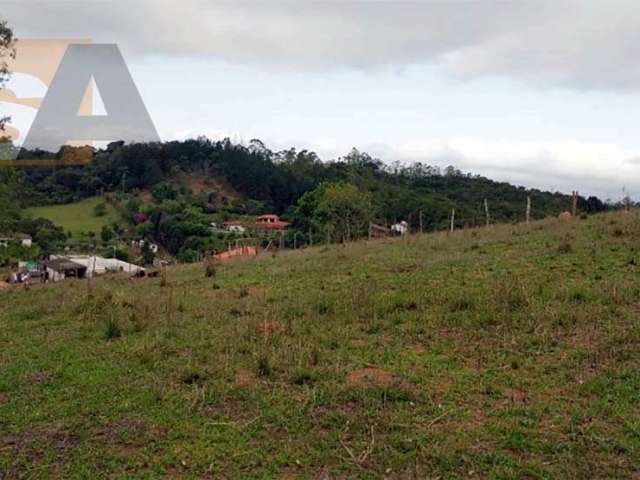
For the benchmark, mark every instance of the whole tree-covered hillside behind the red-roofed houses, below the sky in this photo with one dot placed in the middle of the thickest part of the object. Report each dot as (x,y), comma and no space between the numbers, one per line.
(174,194)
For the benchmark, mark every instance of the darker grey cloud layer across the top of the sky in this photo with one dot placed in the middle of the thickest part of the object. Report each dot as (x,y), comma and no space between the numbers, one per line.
(561,42)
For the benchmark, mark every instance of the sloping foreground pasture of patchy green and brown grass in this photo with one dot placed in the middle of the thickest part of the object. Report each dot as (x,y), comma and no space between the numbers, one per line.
(508,352)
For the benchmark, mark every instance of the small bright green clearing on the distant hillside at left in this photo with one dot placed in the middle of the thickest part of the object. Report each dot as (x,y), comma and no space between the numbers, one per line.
(77,218)
